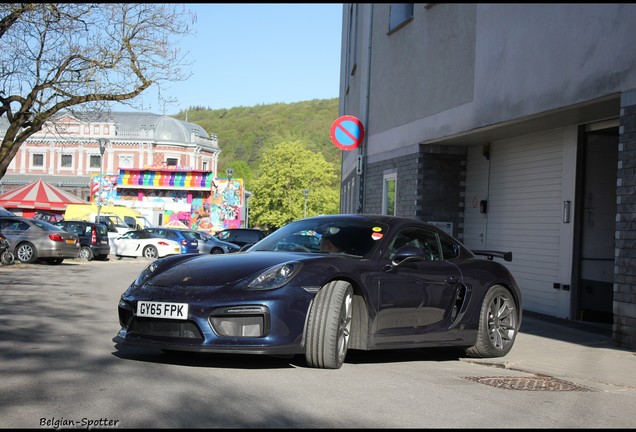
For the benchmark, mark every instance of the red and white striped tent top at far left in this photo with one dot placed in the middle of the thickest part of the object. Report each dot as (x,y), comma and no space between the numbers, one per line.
(38,196)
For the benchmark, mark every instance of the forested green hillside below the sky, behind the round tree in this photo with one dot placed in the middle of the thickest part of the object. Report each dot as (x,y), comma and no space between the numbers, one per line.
(242,132)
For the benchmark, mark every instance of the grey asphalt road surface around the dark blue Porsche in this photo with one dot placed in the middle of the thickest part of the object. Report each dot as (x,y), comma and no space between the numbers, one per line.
(60,368)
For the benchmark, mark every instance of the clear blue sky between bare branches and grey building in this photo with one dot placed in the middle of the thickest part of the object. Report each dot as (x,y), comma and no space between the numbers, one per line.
(253,54)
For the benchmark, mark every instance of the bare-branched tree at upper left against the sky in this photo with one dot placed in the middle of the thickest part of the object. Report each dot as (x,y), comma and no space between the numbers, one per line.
(60,57)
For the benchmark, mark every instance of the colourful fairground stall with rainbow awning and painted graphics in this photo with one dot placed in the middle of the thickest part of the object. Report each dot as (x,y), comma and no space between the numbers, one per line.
(175,196)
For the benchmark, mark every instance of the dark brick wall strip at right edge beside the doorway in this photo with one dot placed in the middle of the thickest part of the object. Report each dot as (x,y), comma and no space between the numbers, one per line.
(624,328)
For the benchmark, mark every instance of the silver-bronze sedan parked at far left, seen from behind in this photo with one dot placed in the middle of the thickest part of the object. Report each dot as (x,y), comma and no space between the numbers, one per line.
(32,239)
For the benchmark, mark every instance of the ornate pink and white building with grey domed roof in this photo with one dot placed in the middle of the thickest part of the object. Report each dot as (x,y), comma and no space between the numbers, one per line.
(66,153)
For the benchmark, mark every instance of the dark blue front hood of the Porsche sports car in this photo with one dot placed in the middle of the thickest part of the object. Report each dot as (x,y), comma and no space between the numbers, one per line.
(222,270)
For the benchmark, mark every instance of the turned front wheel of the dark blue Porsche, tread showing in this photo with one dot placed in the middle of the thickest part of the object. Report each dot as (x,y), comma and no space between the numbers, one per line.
(329,326)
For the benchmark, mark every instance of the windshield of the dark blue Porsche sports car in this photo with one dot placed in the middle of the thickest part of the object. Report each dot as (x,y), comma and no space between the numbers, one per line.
(338,235)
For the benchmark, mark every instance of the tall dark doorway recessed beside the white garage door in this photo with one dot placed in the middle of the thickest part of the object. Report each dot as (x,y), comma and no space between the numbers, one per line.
(596,216)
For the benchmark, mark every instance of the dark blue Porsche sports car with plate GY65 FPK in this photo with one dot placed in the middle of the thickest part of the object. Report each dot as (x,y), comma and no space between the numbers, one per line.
(395,283)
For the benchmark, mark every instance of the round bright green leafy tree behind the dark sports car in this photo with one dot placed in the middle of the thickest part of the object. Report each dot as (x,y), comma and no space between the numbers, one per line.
(286,170)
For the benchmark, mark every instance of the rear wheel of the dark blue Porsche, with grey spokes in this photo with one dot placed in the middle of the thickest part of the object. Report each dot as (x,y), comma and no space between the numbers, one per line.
(498,324)
